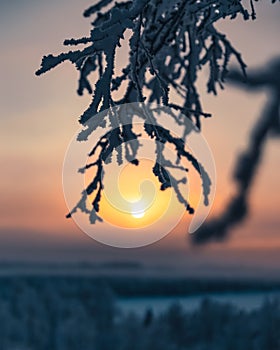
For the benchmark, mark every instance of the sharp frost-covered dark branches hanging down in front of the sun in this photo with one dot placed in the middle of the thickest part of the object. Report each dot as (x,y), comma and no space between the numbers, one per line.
(169,42)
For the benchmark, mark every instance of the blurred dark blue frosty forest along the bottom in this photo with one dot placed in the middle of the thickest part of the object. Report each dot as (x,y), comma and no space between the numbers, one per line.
(47,314)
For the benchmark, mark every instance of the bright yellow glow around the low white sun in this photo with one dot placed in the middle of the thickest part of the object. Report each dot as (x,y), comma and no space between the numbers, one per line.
(138,200)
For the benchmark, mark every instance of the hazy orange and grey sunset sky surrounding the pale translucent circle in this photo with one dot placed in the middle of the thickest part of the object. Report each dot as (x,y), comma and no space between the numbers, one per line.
(39,117)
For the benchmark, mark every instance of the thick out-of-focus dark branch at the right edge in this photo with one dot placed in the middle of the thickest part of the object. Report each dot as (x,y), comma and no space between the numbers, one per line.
(248,161)
